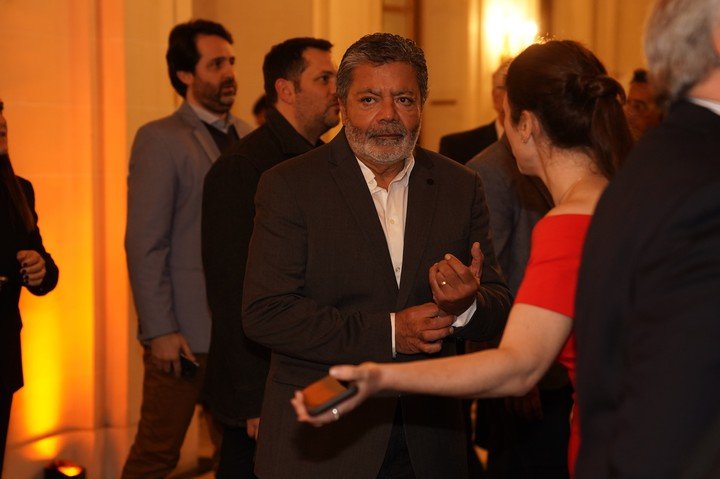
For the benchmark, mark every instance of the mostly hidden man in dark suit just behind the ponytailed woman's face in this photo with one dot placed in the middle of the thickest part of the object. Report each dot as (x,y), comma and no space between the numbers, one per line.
(462,146)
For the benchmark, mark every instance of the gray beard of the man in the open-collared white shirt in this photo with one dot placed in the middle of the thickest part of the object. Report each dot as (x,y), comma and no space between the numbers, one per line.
(367,146)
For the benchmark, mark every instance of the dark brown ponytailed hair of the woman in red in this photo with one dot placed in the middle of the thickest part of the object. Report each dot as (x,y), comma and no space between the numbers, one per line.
(577,103)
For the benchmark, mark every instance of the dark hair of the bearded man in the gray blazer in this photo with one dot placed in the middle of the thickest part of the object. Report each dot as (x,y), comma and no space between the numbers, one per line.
(182,54)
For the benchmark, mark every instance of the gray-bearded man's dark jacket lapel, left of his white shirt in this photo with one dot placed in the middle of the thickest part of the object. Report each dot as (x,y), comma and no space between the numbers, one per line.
(354,190)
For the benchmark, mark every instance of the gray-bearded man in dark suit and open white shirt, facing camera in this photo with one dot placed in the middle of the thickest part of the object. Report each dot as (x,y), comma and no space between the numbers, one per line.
(351,243)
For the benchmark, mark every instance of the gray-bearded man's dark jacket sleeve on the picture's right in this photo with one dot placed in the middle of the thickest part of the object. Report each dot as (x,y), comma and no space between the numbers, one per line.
(494,298)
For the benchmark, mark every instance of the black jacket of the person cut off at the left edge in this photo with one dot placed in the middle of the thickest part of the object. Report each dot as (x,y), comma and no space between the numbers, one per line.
(15,239)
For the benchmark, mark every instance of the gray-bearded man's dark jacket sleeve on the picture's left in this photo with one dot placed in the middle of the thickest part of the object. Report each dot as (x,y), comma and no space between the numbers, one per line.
(276,310)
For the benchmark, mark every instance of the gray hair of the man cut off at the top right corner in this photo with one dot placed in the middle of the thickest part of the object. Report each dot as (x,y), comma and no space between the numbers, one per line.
(679,44)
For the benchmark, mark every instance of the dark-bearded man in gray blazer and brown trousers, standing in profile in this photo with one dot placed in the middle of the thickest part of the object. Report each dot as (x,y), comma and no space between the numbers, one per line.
(168,163)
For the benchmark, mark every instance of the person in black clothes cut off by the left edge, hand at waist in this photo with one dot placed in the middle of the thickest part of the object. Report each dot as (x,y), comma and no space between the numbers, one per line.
(23,262)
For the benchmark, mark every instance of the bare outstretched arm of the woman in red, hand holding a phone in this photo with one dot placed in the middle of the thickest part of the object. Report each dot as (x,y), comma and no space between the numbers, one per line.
(532,340)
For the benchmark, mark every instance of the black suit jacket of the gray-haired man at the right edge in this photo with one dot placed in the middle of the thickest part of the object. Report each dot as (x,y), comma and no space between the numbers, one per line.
(648,305)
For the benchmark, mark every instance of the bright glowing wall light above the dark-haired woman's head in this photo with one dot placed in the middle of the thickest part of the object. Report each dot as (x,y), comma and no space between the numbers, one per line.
(509,27)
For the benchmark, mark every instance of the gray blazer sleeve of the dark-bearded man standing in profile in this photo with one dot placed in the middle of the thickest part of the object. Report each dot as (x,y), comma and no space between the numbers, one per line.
(151,194)
